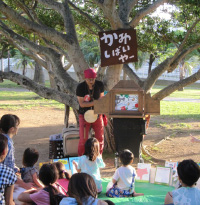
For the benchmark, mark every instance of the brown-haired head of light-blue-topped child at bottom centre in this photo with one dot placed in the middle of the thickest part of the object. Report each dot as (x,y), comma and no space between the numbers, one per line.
(82,185)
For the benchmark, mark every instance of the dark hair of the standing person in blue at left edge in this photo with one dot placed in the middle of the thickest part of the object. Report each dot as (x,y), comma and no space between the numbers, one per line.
(7,121)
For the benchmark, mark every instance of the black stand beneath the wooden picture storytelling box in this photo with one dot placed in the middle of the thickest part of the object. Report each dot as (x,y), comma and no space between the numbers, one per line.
(128,134)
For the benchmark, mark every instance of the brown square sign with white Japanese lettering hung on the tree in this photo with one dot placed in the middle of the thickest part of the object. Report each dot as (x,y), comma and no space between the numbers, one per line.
(118,47)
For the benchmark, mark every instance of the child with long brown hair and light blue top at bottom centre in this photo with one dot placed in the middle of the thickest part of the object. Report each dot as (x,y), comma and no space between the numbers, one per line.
(82,190)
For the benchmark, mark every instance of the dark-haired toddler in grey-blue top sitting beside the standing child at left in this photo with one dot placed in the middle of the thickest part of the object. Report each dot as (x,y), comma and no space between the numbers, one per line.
(29,173)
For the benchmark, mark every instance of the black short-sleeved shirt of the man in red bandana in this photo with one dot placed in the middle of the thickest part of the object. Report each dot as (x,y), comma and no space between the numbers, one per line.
(82,90)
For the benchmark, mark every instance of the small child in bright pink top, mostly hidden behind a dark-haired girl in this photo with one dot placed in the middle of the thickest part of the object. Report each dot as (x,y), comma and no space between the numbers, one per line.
(63,179)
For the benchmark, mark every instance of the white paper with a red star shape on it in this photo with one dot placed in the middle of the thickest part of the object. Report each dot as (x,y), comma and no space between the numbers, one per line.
(143,172)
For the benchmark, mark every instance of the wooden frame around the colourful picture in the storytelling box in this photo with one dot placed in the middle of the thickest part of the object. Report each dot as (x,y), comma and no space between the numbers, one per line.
(126,111)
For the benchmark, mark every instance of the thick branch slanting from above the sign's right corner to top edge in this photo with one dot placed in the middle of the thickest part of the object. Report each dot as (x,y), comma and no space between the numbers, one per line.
(143,12)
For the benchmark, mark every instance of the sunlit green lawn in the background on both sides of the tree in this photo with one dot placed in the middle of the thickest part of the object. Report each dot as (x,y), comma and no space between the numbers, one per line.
(178,110)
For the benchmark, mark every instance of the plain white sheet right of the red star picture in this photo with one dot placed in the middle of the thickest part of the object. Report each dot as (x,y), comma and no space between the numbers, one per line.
(163,175)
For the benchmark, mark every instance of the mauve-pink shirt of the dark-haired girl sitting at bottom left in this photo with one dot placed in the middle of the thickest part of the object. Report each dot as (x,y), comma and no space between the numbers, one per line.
(41,197)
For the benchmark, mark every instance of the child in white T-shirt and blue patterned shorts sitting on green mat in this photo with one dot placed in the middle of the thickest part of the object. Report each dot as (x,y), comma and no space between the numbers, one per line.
(124,178)
